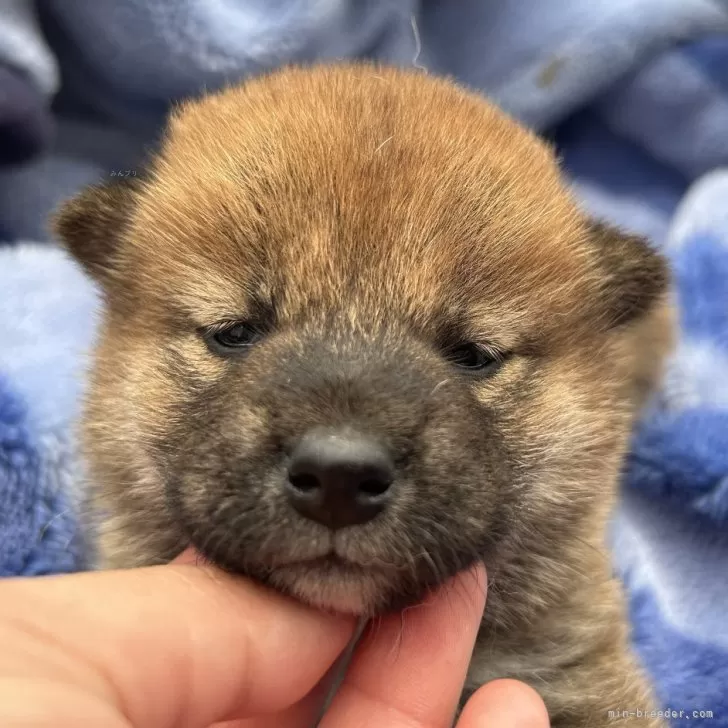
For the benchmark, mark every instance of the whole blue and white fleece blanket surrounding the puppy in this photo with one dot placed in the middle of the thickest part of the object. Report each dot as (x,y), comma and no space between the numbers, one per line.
(634,93)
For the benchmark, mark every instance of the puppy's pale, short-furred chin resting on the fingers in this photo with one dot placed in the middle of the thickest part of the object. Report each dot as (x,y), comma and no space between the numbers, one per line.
(338,590)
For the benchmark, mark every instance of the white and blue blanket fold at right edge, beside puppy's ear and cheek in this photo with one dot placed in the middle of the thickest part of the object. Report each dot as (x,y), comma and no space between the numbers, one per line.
(681,451)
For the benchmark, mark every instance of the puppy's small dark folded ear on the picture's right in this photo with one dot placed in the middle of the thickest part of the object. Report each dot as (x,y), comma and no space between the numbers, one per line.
(634,276)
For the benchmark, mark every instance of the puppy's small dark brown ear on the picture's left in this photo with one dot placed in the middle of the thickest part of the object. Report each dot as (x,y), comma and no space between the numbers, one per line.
(91,225)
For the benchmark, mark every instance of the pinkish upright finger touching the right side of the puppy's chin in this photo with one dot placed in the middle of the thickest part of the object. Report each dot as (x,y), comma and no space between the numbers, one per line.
(410,668)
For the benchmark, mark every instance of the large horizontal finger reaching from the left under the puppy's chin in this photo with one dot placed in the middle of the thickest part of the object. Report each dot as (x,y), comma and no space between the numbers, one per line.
(159,647)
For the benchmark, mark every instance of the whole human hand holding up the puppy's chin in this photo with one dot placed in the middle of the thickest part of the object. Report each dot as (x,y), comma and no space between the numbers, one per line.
(180,645)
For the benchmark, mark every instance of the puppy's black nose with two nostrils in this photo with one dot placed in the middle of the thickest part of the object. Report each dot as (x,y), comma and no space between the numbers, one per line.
(339,478)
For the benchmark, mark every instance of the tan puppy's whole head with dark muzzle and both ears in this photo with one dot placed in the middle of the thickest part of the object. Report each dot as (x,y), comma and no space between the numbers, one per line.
(357,336)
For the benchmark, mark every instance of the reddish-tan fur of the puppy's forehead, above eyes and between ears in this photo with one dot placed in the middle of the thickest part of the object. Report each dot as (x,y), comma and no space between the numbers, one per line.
(361,184)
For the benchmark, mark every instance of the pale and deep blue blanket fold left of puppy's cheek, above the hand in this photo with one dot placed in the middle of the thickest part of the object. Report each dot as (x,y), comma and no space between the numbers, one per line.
(46,325)
